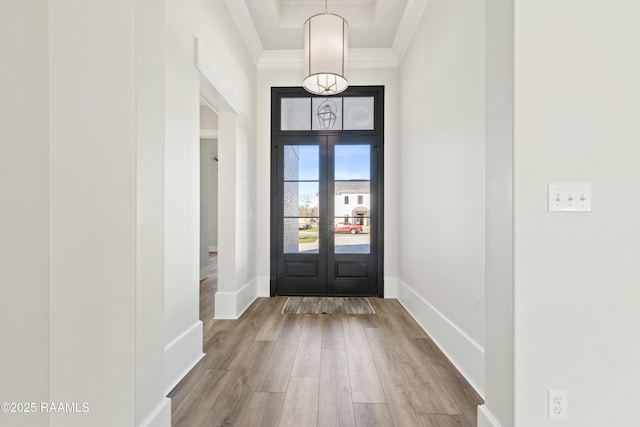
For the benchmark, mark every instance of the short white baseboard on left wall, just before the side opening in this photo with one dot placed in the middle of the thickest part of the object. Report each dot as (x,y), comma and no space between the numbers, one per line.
(181,355)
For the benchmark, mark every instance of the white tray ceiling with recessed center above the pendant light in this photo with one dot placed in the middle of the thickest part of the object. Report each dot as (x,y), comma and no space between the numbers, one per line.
(377,28)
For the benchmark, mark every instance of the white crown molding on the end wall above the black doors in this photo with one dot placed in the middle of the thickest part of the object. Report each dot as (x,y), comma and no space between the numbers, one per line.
(358,58)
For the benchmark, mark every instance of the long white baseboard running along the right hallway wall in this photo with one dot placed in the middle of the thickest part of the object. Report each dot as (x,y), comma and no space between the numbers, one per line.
(464,352)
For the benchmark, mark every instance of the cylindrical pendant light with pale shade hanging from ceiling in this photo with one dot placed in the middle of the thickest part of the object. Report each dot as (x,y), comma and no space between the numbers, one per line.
(325,53)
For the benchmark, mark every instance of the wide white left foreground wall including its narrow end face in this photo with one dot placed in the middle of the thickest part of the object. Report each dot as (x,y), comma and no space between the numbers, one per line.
(106,127)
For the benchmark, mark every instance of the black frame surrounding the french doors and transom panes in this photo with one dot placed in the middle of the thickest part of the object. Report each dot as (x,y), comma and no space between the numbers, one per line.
(377,92)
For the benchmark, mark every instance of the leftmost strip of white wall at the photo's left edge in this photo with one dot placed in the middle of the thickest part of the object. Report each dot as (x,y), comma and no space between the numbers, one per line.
(24,216)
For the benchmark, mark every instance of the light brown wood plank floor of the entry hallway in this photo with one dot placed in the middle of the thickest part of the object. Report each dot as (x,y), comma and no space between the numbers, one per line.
(274,369)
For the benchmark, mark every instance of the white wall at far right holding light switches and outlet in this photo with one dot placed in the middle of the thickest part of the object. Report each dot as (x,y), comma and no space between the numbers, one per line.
(577,275)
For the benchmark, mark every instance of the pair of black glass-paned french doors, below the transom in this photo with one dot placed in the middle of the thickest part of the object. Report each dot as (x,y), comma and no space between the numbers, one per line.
(326,214)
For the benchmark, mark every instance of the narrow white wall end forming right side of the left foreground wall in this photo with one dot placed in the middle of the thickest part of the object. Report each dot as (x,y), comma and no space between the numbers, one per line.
(152,408)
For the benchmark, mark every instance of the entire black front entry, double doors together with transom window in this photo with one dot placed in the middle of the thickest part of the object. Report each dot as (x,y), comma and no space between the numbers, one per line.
(327,192)
